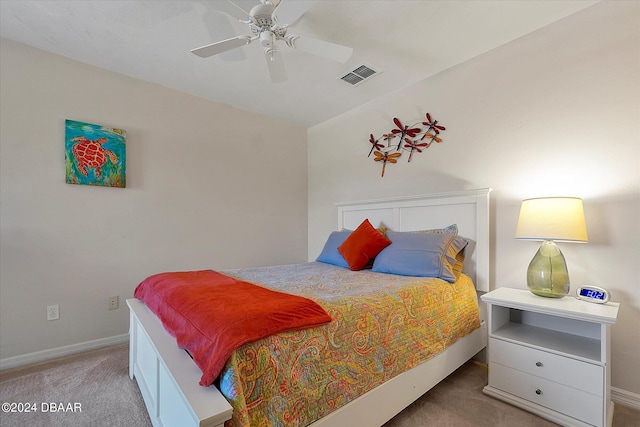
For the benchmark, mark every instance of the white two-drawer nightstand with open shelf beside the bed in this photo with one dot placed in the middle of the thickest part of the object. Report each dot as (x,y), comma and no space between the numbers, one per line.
(551,356)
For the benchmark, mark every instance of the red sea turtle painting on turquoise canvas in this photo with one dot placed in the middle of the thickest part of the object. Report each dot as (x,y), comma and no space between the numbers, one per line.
(95,154)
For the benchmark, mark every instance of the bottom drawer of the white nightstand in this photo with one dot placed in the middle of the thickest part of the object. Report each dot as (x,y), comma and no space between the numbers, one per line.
(574,403)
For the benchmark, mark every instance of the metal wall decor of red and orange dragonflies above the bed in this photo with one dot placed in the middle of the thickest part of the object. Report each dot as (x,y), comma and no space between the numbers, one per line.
(413,138)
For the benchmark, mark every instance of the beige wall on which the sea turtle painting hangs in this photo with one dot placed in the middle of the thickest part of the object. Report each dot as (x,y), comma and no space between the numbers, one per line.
(207,187)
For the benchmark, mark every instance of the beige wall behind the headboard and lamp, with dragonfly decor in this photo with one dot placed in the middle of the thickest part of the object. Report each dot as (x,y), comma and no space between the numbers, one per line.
(556,112)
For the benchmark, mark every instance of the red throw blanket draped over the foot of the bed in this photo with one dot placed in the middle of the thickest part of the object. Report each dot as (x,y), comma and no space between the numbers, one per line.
(211,314)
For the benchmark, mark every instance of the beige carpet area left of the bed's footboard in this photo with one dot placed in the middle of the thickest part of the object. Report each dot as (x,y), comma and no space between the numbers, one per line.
(97,380)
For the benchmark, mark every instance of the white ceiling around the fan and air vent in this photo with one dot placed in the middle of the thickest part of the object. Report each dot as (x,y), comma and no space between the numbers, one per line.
(151,40)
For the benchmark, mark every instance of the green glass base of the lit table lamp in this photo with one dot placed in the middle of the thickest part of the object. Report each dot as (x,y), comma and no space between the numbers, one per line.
(547,275)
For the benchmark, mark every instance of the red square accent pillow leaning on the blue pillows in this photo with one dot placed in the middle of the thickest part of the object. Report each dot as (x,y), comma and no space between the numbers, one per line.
(362,245)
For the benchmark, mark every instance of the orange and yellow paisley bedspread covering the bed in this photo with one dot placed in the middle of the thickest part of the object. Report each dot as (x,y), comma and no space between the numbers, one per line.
(382,325)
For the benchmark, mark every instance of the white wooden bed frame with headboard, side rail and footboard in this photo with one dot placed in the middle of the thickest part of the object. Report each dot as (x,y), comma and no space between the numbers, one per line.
(168,378)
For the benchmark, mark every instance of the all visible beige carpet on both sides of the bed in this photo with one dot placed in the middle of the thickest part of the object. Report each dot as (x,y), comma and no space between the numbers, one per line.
(98,384)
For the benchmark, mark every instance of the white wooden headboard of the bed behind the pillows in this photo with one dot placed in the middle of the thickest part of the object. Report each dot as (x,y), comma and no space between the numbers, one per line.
(468,209)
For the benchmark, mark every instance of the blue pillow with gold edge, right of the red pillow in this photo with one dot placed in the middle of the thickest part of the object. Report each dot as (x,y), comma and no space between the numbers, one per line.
(421,254)
